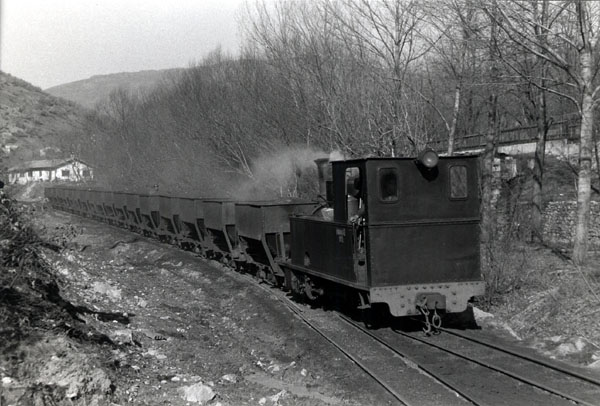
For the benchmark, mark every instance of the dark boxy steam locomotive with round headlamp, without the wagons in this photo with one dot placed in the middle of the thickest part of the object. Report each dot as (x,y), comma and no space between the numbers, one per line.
(399,232)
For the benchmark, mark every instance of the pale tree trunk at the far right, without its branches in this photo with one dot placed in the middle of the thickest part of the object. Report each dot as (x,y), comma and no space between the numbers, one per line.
(584,190)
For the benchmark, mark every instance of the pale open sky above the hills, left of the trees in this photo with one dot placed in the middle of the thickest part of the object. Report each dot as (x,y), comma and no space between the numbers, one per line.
(51,42)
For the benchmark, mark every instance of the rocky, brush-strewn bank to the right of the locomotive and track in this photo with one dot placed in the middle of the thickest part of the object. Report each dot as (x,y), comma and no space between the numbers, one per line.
(554,307)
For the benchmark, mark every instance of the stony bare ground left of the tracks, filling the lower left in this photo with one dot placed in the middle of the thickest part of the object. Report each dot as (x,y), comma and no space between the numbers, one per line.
(161,326)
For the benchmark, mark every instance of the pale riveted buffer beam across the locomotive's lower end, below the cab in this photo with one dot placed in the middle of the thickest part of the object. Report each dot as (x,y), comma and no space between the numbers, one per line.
(403,300)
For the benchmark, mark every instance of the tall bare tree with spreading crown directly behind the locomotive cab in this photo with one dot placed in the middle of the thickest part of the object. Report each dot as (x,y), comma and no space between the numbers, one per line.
(389,37)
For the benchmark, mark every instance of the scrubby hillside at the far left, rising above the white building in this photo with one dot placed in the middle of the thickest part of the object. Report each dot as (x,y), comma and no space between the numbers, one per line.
(34,124)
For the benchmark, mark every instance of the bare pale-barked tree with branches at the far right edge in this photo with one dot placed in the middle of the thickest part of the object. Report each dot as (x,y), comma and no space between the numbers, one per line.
(575,39)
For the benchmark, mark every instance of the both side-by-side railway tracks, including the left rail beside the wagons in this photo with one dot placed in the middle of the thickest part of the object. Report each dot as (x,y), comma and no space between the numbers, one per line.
(462,368)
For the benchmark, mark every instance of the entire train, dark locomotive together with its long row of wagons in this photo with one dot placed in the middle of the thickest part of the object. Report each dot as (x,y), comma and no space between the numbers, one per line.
(400,235)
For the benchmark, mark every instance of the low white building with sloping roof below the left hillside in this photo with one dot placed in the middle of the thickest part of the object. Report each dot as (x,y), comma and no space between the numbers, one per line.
(72,170)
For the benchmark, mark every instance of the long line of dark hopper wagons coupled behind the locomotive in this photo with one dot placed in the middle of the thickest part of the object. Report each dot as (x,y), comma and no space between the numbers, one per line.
(255,235)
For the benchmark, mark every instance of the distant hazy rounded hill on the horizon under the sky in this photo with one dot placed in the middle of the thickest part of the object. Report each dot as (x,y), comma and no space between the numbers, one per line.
(90,91)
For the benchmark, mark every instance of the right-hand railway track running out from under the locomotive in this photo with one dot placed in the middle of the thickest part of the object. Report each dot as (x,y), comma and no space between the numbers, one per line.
(488,373)
